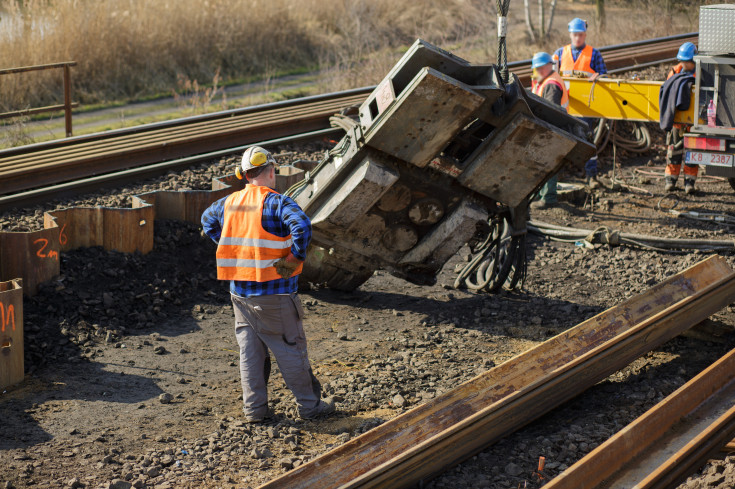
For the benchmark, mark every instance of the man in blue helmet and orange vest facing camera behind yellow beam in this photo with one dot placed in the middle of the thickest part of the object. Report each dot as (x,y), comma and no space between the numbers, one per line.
(581,60)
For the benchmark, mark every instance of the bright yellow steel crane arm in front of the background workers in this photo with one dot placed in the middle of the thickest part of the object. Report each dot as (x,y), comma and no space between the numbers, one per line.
(630,100)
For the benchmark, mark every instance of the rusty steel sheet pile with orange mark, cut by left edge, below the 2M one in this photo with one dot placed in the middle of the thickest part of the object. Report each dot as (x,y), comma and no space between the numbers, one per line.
(11,333)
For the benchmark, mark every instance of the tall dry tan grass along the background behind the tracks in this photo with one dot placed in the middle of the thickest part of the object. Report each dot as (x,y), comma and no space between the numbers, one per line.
(130,49)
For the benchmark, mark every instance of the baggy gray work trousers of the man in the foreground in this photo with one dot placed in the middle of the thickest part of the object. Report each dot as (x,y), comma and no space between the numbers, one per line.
(273,322)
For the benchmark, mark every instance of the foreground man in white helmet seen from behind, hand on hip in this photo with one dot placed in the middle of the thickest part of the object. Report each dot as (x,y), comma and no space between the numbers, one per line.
(261,239)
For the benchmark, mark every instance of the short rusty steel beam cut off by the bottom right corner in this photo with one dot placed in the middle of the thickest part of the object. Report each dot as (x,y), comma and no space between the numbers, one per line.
(667,443)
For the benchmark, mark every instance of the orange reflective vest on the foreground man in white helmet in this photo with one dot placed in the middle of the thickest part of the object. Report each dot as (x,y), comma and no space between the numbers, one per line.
(246,251)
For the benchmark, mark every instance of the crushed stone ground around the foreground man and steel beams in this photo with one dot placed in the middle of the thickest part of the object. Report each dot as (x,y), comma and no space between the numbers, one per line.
(132,359)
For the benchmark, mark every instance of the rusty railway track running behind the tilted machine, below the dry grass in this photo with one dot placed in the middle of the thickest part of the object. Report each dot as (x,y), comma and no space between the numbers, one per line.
(42,167)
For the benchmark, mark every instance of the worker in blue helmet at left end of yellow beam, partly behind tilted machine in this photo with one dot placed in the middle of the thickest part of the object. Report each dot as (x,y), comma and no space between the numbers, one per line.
(548,84)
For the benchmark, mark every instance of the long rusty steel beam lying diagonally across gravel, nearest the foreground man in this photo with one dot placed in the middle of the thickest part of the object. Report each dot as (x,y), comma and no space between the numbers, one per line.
(430,438)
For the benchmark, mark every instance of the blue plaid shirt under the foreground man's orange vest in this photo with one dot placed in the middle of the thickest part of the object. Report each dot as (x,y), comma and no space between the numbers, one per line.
(281,216)
